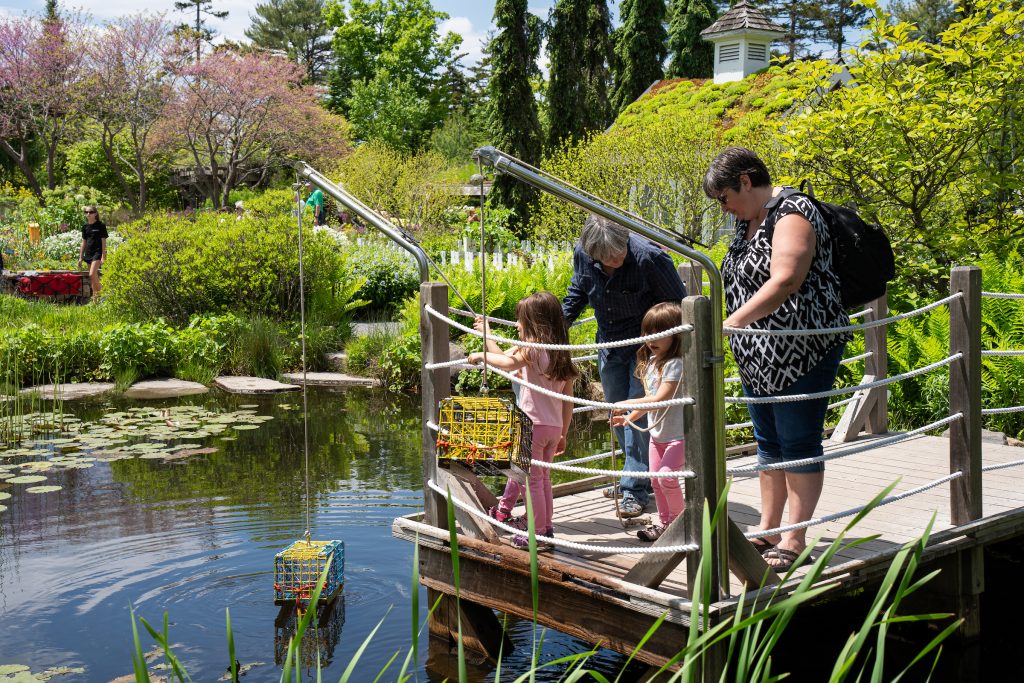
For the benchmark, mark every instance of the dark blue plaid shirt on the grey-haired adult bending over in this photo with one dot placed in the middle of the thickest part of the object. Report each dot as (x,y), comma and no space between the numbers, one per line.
(648,277)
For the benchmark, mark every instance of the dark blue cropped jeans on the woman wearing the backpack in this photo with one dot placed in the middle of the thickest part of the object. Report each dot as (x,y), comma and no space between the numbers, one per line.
(793,431)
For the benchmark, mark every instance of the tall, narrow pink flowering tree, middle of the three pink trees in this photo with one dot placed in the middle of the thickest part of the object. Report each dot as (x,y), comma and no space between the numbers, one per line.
(132,71)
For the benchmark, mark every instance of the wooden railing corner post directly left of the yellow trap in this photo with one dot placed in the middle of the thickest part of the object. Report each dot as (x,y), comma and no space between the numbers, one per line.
(437,386)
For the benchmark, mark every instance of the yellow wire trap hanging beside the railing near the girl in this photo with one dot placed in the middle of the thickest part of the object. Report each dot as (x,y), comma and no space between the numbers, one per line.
(485,434)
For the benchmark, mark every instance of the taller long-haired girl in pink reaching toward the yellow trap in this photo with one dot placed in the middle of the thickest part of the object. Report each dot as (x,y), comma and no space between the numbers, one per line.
(539,319)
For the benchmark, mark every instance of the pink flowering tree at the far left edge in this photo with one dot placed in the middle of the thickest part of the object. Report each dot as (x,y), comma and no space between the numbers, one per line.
(41,90)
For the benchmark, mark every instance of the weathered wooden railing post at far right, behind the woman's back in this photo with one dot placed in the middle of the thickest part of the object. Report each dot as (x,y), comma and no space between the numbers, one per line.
(965,395)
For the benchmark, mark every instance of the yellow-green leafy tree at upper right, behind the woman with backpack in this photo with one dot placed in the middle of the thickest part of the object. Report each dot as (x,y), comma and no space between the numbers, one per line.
(928,142)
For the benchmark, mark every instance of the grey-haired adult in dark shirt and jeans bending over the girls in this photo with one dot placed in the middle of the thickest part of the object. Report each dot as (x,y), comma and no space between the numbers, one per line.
(622,276)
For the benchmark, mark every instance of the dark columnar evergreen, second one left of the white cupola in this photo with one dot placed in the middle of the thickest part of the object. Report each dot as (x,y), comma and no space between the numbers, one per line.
(641,50)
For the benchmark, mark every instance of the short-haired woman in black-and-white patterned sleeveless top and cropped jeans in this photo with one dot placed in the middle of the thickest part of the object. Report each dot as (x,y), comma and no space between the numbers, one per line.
(779,276)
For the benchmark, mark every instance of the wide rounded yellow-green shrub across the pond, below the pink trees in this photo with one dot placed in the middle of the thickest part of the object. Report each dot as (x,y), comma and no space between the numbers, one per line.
(176,269)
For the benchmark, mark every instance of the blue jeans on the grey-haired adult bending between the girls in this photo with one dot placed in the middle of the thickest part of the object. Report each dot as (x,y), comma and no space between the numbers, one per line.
(618,370)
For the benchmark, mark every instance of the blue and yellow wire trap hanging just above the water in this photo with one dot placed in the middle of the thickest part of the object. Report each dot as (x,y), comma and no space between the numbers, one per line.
(298,568)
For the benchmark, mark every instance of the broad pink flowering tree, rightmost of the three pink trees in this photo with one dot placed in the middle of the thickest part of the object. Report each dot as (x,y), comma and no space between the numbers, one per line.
(239,117)
